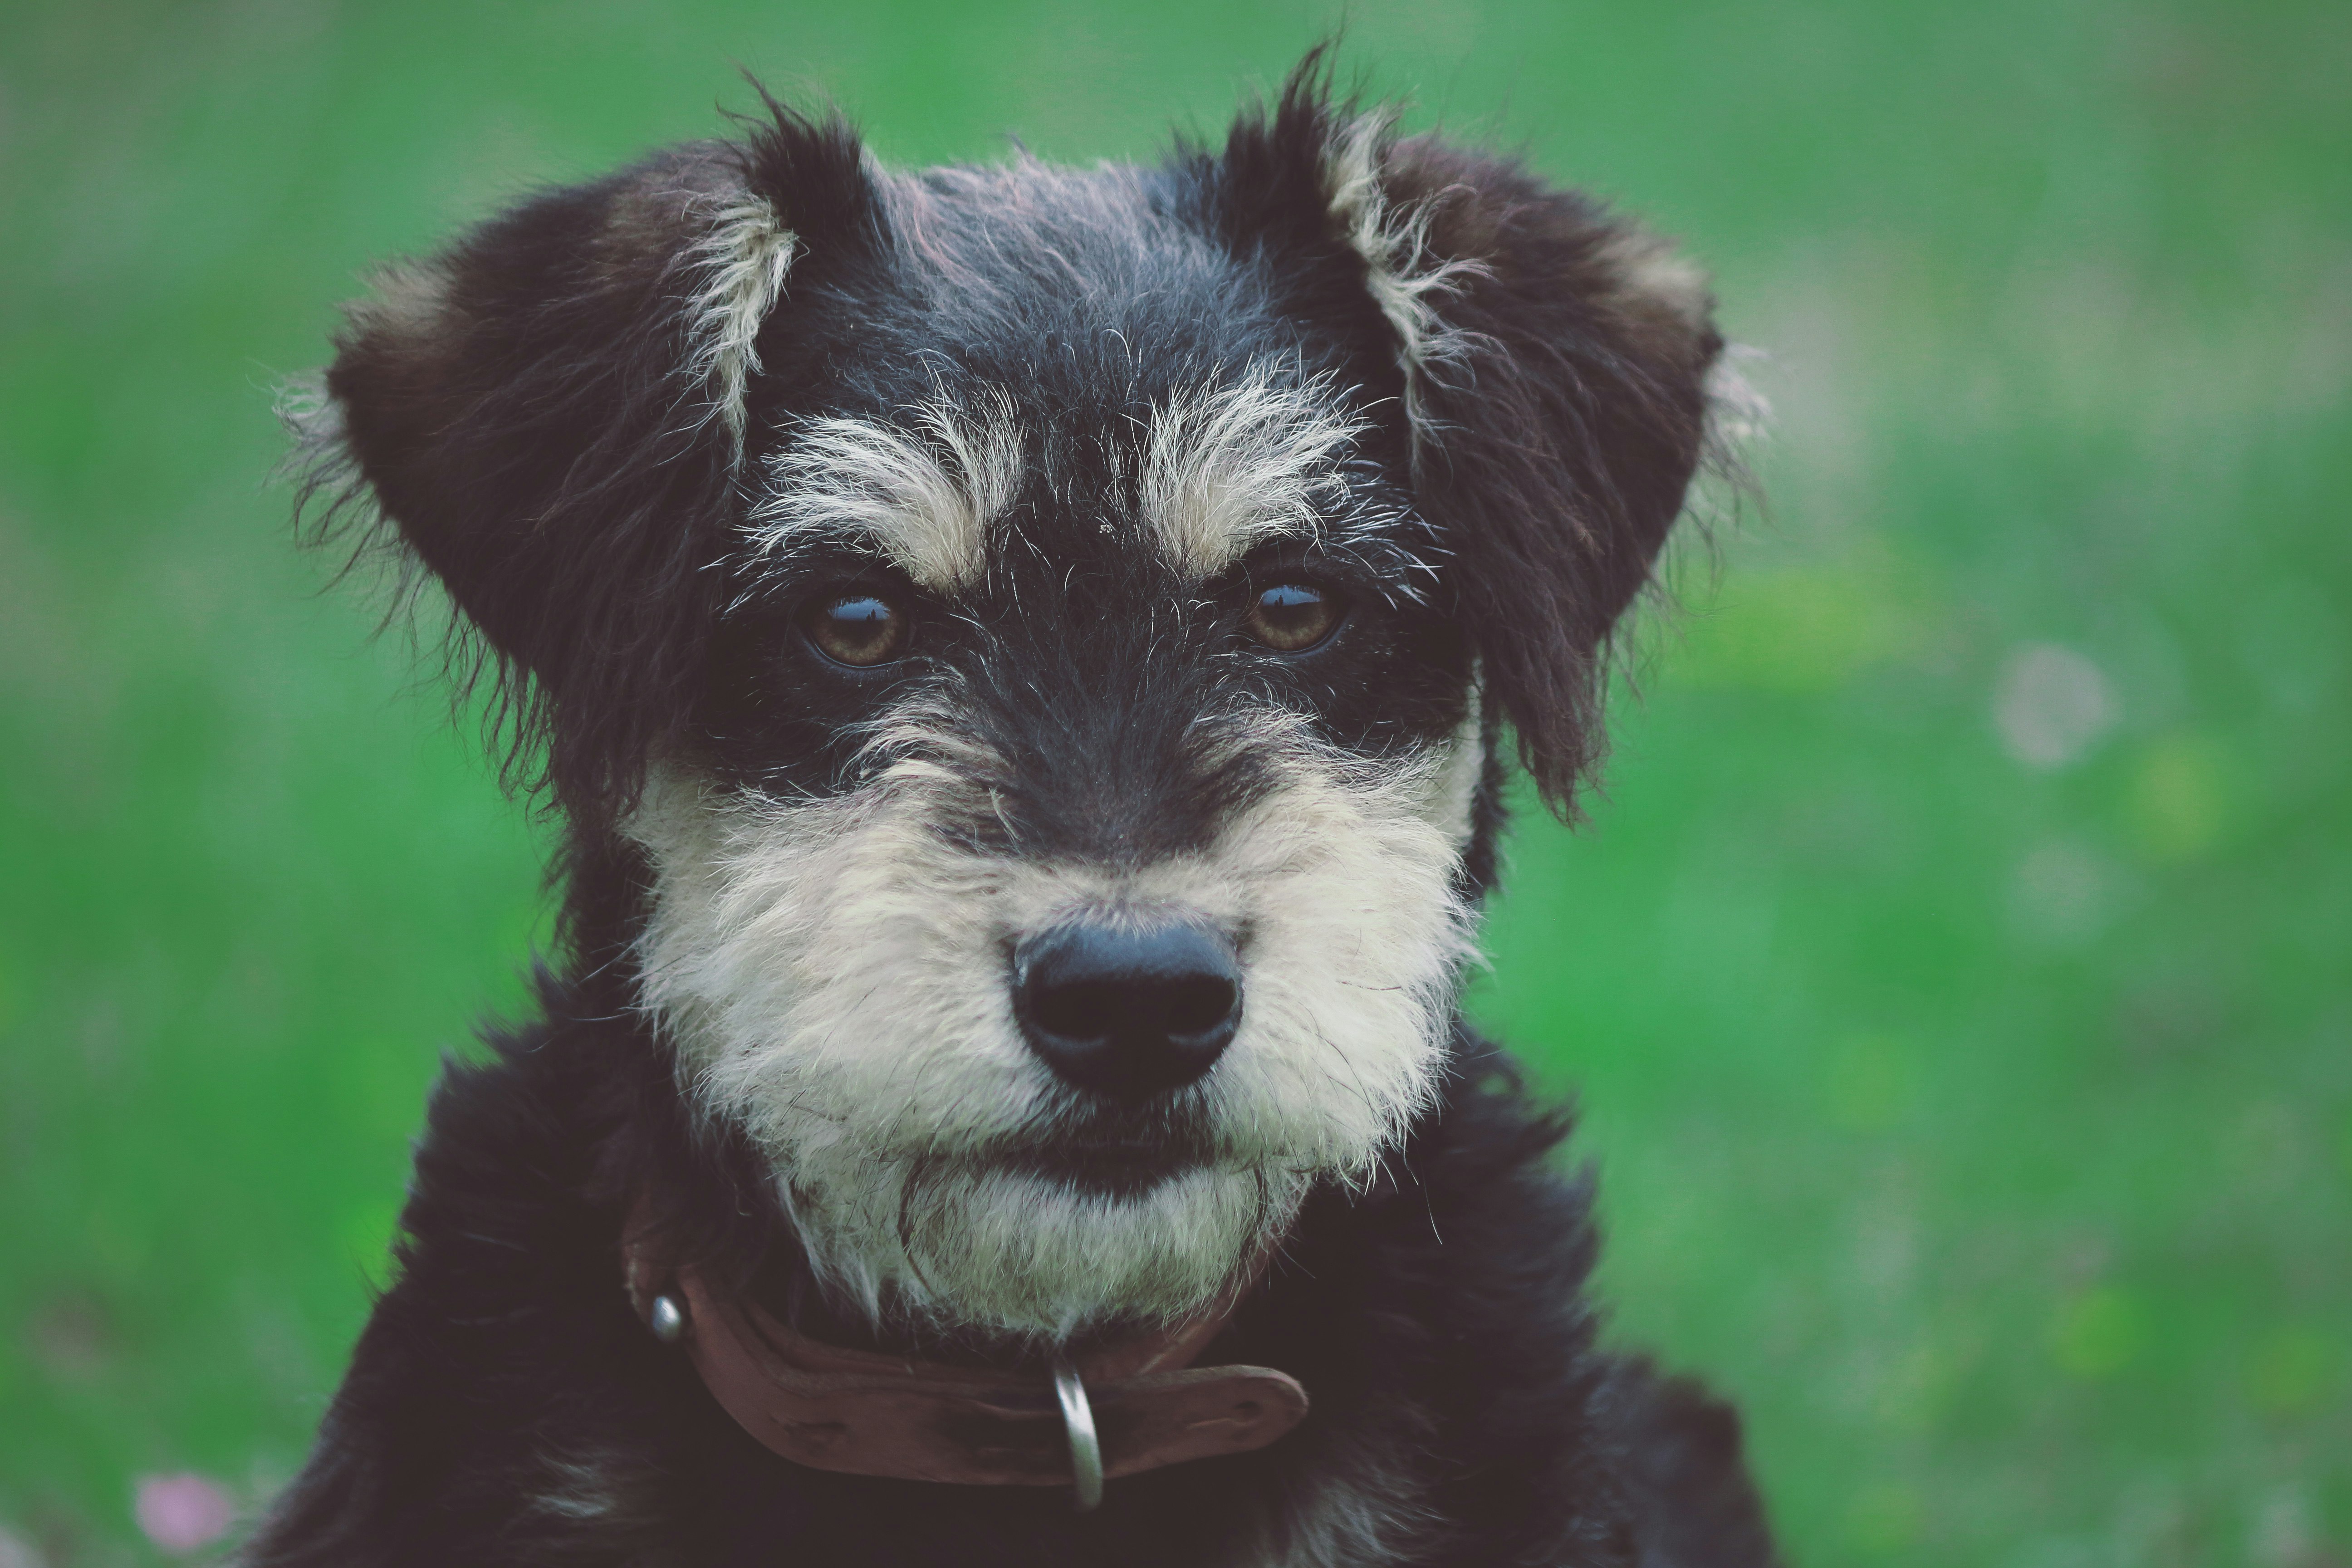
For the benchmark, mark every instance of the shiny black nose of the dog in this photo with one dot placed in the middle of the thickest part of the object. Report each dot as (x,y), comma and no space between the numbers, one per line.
(1128,1012)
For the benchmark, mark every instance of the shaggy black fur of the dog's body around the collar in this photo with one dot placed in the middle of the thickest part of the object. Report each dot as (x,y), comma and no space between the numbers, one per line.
(1438,1320)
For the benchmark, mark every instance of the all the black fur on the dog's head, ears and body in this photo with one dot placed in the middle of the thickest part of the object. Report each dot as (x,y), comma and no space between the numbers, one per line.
(516,410)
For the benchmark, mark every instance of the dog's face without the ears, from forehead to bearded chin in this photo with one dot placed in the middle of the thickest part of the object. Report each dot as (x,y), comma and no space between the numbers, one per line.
(1067,869)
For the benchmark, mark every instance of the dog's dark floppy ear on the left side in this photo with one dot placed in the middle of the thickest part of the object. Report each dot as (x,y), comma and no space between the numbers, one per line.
(552,415)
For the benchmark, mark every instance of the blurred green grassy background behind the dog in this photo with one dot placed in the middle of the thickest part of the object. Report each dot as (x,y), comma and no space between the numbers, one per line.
(1956,974)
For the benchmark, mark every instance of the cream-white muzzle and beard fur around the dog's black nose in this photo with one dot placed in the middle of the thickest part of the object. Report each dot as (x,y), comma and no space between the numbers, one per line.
(834,977)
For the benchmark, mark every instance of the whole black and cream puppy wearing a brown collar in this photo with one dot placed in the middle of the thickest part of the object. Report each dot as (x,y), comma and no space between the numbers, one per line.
(1024,659)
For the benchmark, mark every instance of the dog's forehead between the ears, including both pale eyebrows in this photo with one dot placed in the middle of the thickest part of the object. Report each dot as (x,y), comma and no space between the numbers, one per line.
(1060,368)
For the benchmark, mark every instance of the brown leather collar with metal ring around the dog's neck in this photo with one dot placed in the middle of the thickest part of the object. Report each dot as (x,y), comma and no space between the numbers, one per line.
(871,1414)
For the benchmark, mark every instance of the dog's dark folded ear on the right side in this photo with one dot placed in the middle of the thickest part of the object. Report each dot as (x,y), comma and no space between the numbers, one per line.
(1553,373)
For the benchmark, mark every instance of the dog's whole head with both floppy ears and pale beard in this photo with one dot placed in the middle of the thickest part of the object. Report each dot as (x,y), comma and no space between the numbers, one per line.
(1048,636)
